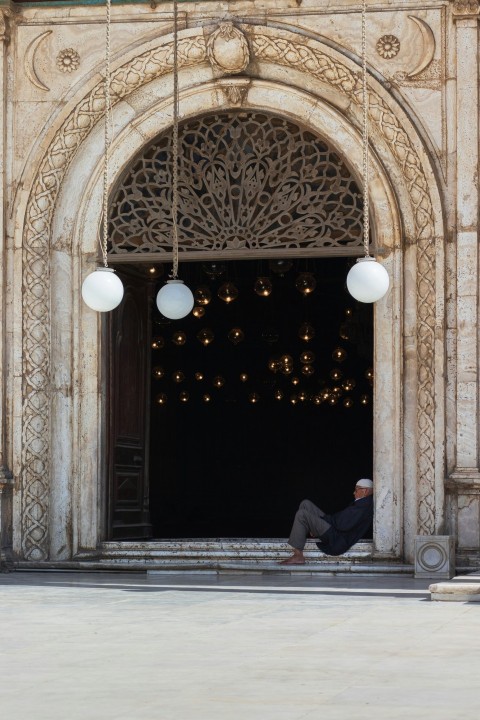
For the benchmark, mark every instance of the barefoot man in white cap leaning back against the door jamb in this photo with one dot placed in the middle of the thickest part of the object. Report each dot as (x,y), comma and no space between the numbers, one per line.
(337,532)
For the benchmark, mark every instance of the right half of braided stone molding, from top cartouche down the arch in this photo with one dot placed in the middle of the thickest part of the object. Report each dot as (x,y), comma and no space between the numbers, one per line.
(324,68)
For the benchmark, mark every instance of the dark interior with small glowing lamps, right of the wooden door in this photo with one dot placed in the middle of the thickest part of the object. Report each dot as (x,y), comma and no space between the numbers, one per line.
(231,467)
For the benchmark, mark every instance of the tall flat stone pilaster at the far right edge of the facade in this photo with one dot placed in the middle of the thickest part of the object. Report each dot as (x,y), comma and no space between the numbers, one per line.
(464,483)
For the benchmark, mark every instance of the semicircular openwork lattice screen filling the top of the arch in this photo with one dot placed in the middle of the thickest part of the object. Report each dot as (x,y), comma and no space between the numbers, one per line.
(247,180)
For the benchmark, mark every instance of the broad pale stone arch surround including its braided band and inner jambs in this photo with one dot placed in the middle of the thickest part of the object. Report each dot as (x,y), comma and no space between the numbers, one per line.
(64,460)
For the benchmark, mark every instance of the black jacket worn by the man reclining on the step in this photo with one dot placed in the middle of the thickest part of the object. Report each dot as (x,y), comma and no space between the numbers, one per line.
(348,526)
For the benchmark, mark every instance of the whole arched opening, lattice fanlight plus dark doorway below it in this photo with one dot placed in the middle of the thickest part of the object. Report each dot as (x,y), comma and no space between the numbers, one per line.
(232,447)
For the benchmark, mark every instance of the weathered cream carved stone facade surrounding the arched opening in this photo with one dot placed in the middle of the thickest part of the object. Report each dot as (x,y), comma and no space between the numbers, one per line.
(424,140)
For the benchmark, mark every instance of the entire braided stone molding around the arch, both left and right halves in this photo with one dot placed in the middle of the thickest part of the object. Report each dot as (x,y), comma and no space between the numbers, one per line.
(36,274)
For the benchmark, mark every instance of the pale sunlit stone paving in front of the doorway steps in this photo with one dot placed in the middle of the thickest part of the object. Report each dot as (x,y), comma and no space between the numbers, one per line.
(88,646)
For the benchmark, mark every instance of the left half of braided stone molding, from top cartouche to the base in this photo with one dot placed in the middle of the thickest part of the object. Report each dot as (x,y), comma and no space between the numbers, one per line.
(36,276)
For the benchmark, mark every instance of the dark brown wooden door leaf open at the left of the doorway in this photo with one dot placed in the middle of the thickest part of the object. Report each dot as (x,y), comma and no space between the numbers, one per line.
(128,405)
